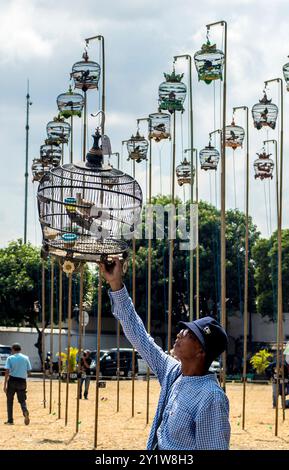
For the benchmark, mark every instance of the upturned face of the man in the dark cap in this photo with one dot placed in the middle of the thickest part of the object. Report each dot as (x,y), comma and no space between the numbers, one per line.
(187,346)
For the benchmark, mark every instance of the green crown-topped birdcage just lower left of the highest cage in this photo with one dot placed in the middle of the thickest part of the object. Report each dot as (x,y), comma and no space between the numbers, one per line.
(172,92)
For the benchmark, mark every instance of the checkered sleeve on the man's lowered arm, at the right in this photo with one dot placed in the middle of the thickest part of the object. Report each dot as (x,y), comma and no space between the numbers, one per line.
(213,426)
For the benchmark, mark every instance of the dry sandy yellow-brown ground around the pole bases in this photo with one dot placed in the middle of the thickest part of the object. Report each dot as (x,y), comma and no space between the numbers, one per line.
(119,430)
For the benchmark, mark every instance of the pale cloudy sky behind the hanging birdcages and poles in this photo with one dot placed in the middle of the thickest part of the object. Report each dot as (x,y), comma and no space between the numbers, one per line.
(41,40)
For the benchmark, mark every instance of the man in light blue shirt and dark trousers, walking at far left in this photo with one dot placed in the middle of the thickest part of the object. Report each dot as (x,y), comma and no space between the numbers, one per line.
(16,370)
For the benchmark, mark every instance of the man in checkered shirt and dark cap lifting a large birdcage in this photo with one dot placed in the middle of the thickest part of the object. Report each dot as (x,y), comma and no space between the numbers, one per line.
(193,410)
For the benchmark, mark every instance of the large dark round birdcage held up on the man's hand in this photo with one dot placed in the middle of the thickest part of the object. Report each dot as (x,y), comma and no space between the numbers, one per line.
(88,211)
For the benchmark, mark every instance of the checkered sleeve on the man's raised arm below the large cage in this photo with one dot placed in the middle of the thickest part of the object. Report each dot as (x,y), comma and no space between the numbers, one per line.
(133,327)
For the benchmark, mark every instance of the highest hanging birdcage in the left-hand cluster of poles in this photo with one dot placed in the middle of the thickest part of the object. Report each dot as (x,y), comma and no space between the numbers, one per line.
(85,73)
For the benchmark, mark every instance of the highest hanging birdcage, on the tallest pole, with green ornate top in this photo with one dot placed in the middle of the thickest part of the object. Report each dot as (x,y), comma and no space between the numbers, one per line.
(209,62)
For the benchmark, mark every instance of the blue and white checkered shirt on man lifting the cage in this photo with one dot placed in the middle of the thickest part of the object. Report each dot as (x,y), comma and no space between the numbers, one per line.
(193,411)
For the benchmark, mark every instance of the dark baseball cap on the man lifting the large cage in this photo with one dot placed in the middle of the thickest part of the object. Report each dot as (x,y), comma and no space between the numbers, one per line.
(211,335)
